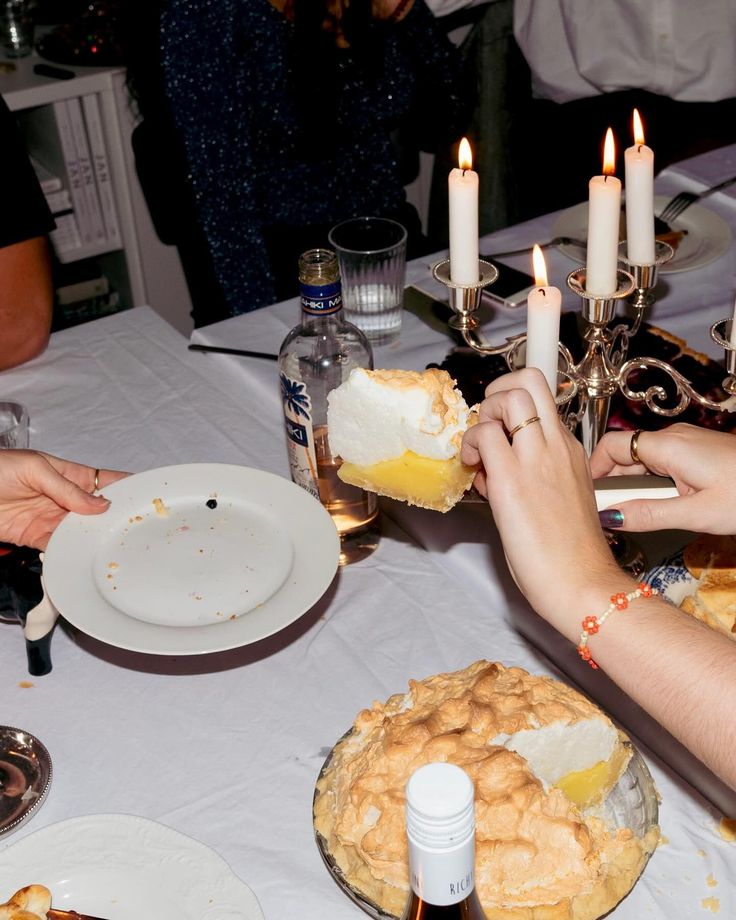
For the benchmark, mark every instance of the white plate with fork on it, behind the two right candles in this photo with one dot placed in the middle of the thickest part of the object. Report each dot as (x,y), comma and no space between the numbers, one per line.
(707,236)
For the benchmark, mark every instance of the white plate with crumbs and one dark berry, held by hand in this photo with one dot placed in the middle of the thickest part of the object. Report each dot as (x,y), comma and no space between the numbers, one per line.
(192,559)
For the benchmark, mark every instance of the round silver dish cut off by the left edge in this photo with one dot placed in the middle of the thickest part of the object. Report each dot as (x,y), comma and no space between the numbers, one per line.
(25,777)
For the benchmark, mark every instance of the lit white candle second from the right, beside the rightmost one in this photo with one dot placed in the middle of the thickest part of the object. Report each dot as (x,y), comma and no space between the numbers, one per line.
(604,214)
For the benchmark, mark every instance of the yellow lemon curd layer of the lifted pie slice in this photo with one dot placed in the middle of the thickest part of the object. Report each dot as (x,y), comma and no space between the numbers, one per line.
(422,481)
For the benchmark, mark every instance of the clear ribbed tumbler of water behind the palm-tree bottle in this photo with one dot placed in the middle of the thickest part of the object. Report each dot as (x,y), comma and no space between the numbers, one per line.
(372,256)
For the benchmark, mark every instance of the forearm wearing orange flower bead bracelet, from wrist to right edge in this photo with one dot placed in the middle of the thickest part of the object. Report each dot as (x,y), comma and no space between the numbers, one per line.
(680,671)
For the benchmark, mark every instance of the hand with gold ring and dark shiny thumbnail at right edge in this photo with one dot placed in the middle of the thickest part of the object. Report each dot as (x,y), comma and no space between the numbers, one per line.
(701,462)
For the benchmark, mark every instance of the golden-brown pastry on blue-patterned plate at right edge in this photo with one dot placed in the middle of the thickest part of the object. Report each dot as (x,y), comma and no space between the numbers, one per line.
(712,560)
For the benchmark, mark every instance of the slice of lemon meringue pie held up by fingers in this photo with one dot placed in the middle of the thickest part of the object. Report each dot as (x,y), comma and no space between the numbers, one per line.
(399,433)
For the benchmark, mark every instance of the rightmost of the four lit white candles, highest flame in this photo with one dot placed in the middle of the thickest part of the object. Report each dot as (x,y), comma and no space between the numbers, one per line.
(639,172)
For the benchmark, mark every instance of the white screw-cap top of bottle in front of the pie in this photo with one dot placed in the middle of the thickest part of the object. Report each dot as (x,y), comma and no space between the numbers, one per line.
(440,806)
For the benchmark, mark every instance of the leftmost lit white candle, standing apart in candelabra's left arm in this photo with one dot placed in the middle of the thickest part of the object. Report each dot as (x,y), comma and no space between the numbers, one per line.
(463,204)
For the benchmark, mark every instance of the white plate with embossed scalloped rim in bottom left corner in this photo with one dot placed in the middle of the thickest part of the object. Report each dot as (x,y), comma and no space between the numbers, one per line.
(123,866)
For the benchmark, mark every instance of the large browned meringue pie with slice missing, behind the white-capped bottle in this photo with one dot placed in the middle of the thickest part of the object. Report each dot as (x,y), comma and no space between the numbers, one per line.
(531,745)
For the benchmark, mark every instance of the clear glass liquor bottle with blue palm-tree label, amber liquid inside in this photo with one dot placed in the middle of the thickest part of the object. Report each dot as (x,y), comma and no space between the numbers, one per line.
(315,357)
